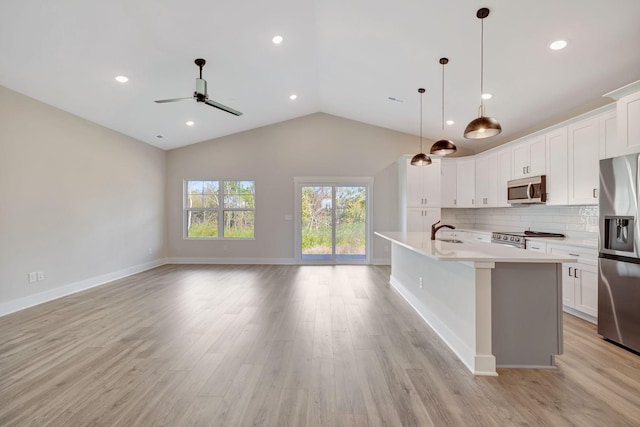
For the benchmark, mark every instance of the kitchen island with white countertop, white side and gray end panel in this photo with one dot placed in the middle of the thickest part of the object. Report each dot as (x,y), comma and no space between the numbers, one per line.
(493,305)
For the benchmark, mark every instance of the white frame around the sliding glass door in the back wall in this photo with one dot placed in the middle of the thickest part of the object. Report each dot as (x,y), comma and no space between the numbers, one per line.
(365,181)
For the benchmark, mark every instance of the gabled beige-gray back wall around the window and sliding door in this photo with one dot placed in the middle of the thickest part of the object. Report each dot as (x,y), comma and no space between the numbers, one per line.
(314,145)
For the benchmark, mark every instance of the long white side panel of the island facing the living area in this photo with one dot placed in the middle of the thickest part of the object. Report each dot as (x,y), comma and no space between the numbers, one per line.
(446,301)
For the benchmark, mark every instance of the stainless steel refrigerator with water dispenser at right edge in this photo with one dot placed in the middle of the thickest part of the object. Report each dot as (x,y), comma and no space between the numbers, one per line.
(619,248)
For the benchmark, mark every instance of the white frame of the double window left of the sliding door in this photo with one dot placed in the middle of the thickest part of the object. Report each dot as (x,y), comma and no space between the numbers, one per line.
(219,210)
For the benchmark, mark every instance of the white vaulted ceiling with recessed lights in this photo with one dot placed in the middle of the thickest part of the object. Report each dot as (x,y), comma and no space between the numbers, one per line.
(342,57)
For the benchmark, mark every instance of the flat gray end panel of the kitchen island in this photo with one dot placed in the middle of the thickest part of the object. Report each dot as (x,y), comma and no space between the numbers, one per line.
(527,314)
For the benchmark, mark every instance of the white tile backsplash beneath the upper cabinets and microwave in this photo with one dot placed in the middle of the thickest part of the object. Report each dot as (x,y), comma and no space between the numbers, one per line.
(573,221)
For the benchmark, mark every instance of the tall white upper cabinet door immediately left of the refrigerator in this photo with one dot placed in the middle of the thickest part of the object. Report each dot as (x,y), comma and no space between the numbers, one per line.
(583,167)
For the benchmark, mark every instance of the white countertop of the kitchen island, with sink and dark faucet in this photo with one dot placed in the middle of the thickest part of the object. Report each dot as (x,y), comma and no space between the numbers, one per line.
(421,242)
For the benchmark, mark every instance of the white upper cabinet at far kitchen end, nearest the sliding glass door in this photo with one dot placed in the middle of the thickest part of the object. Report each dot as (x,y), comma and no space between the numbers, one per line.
(422,184)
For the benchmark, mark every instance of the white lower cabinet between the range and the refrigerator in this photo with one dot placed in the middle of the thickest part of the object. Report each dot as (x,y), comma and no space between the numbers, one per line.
(579,279)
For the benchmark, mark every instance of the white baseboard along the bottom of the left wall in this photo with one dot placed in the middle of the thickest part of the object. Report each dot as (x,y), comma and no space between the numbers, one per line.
(61,291)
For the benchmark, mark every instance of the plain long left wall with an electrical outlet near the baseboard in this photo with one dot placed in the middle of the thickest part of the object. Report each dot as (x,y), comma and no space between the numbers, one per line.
(79,202)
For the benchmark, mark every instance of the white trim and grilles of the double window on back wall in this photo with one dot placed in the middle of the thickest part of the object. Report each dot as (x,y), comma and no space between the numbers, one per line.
(221,209)
